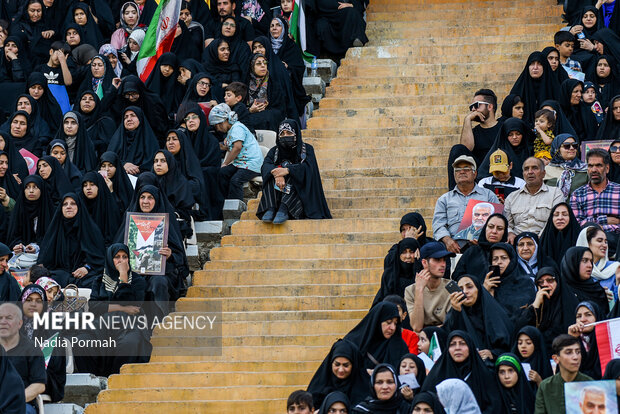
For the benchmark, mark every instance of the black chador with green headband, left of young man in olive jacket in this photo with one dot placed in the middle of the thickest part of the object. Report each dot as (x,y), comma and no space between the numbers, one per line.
(519,399)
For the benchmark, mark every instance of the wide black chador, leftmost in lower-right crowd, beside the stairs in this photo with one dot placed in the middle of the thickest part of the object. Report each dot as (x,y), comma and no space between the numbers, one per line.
(324,382)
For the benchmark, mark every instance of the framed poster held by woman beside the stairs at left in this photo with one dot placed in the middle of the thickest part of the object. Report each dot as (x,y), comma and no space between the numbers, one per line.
(145,234)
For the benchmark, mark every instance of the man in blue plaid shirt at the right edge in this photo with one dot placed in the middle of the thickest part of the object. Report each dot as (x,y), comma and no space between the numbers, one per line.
(599,200)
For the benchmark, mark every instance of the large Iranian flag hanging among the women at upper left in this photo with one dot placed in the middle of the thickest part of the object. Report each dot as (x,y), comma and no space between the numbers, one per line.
(159,36)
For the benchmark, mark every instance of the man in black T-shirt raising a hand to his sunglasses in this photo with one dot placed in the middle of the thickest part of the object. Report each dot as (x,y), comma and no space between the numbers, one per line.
(479,139)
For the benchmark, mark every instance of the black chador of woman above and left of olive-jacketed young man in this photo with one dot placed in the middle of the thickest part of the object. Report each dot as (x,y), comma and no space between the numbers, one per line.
(556,313)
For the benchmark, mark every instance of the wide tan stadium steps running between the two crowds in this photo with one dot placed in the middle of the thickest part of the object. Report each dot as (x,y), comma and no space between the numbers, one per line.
(382,136)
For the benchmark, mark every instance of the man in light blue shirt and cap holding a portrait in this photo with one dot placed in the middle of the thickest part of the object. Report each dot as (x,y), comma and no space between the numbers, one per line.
(451,206)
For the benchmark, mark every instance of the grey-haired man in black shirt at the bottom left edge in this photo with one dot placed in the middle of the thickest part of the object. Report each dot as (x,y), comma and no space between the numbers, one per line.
(24,355)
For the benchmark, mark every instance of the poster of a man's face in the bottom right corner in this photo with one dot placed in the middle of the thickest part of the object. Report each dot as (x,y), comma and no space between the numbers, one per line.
(591,397)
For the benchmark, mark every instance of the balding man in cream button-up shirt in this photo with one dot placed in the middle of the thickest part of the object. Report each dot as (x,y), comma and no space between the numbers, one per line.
(528,209)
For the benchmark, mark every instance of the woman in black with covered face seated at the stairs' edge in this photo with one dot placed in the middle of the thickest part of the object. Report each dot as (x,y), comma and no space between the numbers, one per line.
(291,179)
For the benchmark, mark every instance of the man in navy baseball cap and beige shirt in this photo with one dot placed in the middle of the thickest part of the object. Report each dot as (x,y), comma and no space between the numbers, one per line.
(427,299)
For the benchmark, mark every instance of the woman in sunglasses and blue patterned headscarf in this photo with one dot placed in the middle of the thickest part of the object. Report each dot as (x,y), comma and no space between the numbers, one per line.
(566,170)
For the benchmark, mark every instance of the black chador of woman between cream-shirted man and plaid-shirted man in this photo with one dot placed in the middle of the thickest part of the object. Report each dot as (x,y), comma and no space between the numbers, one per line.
(553,242)
